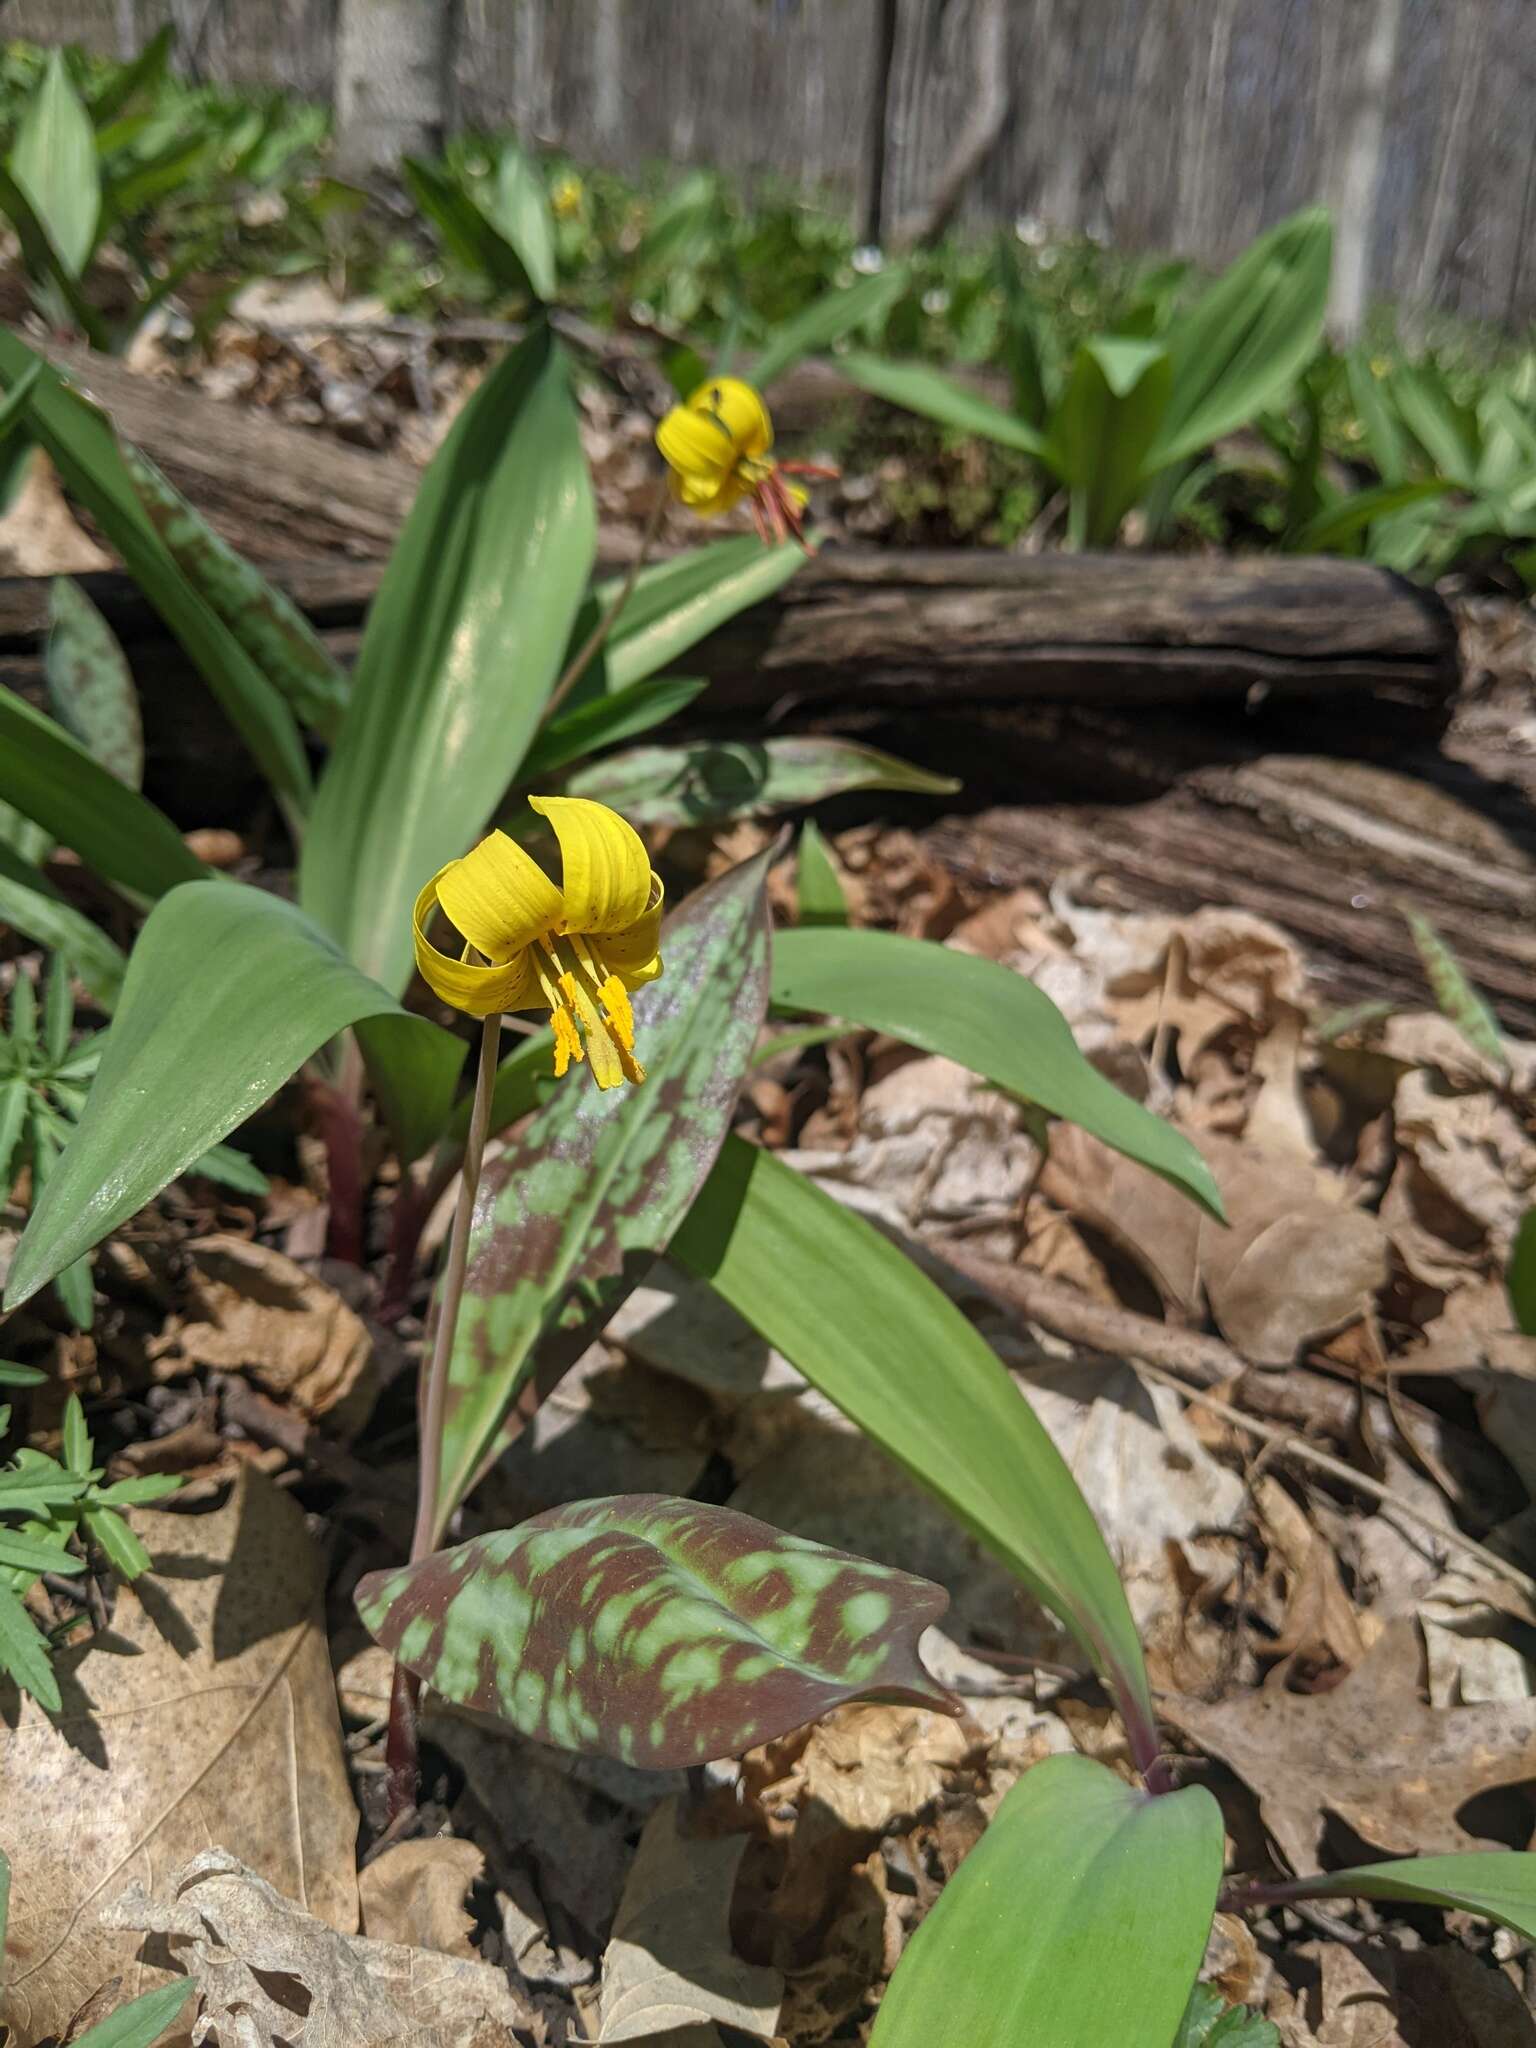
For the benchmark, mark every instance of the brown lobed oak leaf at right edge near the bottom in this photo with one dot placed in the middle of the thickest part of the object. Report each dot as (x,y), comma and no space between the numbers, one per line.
(1369,1752)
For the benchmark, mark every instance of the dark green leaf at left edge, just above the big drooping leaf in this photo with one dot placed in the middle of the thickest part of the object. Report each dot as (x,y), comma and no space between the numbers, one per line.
(52,779)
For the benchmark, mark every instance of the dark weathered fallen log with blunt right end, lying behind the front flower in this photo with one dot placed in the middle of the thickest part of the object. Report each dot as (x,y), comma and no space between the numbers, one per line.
(949,630)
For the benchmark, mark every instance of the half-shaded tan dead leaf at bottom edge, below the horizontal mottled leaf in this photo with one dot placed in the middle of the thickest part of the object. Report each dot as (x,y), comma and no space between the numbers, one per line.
(671,1959)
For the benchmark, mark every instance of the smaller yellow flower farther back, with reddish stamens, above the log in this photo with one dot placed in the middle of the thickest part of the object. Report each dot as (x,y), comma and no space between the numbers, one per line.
(720,452)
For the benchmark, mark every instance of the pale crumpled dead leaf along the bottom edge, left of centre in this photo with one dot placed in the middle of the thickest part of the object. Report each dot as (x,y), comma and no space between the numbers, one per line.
(269,1973)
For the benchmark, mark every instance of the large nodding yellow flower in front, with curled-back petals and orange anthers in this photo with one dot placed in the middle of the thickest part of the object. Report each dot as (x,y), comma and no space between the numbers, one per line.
(574,951)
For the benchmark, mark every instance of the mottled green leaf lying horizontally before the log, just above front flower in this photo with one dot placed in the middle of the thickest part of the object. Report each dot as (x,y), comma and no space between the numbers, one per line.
(712,779)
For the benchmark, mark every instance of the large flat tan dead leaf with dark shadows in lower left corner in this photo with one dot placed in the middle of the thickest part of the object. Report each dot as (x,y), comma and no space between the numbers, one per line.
(206,1715)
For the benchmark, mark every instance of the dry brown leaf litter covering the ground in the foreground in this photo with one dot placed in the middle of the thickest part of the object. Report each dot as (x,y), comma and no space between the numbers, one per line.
(1334,1662)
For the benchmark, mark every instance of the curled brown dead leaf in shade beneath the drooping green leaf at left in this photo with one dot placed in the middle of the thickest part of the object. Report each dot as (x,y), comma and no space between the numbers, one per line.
(251,1310)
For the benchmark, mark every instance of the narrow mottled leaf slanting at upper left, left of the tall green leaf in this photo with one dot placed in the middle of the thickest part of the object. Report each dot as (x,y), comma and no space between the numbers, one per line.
(269,626)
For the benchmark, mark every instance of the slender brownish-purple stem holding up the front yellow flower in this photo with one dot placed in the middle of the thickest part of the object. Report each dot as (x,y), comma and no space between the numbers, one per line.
(407,1689)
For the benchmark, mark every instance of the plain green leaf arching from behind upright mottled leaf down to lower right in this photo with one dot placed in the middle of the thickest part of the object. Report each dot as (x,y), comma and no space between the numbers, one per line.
(894,1353)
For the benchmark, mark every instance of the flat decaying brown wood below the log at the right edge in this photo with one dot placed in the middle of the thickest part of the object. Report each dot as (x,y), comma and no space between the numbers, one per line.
(1326,849)
